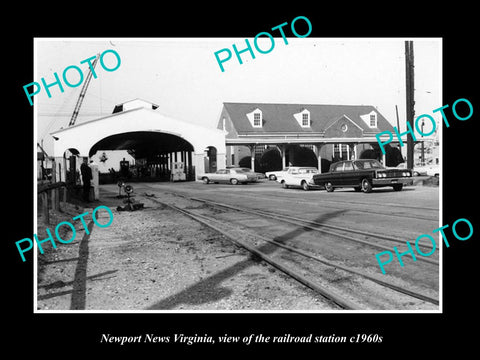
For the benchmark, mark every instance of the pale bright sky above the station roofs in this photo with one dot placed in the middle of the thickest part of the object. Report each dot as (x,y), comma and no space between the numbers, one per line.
(182,76)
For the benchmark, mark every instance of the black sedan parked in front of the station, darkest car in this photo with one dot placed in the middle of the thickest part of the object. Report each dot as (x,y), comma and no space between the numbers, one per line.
(363,175)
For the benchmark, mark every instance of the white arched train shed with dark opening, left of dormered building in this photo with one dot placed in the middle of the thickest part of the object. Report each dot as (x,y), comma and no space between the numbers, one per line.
(157,142)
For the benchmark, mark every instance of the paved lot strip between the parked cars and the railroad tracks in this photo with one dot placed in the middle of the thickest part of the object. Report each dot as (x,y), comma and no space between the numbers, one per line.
(404,214)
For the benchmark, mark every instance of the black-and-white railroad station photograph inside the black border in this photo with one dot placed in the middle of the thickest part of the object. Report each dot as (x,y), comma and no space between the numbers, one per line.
(231,179)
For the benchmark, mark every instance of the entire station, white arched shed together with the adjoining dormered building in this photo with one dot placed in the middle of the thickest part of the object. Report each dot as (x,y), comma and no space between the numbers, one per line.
(257,135)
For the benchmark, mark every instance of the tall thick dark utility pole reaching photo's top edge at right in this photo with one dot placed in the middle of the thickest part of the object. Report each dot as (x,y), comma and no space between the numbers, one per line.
(410,99)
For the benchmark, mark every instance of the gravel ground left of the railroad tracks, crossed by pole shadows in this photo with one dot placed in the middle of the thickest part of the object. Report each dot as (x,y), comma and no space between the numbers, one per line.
(156,259)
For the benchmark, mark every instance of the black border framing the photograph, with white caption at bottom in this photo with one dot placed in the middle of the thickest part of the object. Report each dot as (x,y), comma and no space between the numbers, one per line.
(80,333)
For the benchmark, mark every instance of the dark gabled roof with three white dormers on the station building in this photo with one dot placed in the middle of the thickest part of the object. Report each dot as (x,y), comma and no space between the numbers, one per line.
(278,118)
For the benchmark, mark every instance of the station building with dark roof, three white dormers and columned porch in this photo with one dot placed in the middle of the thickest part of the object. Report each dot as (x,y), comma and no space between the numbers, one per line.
(270,136)
